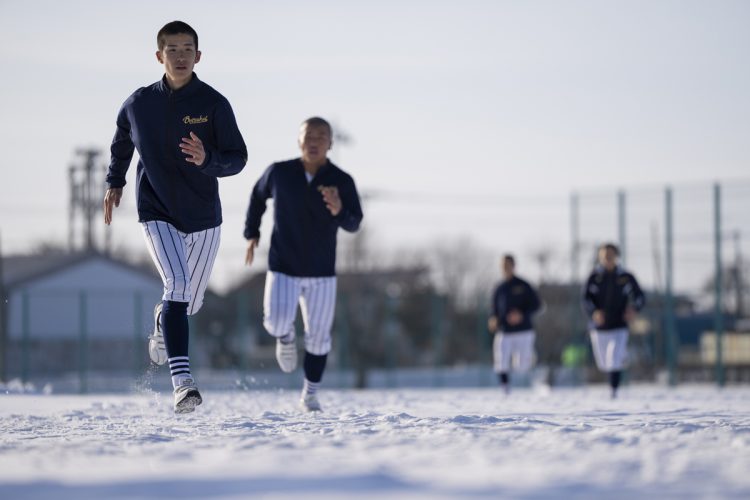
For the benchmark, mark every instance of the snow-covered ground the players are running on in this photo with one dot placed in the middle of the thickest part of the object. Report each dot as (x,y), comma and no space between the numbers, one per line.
(655,442)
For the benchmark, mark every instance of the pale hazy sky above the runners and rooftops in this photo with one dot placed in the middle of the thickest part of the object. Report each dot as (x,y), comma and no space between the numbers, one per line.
(499,108)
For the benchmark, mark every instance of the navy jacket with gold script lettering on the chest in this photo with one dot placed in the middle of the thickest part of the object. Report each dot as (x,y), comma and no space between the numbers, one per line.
(153,120)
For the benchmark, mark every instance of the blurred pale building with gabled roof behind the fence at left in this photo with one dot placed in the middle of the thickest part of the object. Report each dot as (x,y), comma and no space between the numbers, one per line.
(75,312)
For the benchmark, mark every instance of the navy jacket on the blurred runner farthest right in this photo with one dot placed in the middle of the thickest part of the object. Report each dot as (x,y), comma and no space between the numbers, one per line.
(611,292)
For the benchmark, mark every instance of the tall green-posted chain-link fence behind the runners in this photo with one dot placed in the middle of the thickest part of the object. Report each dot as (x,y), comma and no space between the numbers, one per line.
(395,326)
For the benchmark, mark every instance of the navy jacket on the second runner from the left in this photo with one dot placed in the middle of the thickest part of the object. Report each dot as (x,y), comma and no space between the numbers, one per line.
(303,242)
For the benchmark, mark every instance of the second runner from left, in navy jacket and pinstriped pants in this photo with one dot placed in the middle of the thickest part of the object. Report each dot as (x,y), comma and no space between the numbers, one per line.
(313,198)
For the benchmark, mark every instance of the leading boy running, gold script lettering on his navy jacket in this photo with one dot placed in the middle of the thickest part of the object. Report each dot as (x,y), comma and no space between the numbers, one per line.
(186,136)
